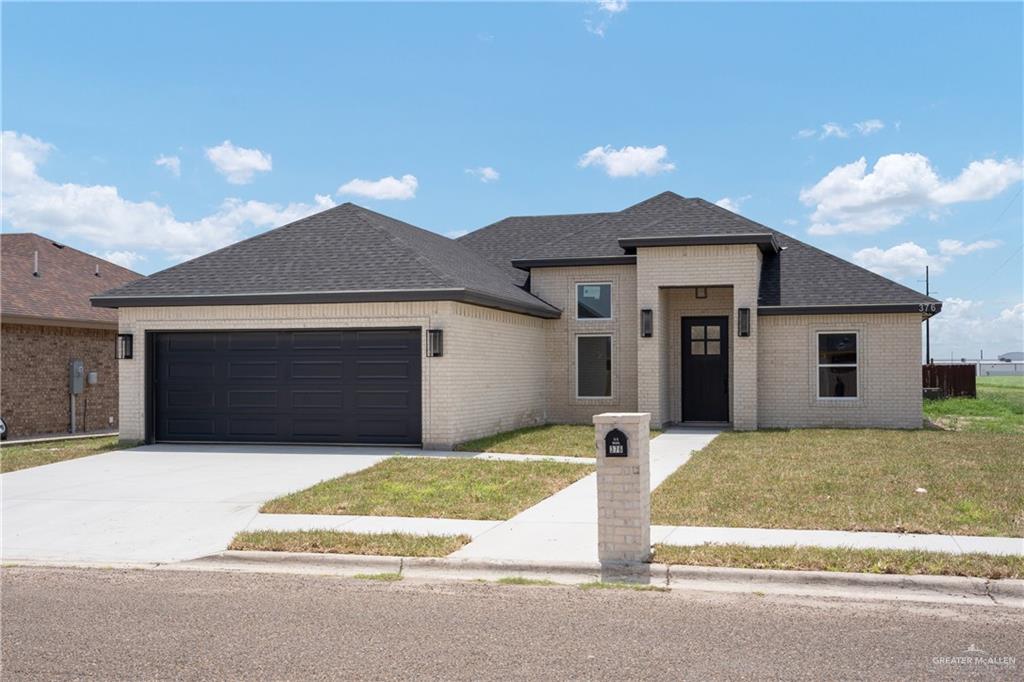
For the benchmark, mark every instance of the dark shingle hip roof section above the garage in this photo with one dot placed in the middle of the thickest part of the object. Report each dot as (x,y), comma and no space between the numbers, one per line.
(345,254)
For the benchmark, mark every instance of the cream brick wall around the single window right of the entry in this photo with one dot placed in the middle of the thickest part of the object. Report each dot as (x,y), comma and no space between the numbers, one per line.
(889,372)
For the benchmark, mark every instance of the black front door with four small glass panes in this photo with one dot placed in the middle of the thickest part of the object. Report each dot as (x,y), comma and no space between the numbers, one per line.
(706,369)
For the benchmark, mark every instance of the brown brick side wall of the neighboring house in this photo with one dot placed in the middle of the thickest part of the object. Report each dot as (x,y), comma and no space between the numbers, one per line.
(34,379)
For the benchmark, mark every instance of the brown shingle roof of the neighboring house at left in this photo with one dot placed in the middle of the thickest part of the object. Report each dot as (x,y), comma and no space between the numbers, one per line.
(61,292)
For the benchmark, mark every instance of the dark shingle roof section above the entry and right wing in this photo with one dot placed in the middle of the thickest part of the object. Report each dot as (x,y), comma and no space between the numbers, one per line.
(796,277)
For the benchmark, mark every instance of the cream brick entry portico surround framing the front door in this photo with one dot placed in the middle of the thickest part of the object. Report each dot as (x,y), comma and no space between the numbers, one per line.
(735,266)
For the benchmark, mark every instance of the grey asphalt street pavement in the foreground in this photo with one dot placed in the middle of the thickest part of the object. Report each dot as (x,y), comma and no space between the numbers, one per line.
(70,623)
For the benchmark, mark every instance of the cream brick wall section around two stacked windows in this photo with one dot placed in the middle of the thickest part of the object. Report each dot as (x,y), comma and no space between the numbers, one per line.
(558,286)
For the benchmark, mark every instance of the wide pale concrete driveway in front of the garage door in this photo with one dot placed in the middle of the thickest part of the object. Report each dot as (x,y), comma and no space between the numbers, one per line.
(158,503)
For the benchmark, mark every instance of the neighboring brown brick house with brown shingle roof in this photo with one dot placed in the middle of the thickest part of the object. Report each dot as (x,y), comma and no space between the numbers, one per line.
(47,321)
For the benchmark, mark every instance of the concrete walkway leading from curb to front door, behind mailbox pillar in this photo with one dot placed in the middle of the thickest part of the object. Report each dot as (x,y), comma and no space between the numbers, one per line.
(564,528)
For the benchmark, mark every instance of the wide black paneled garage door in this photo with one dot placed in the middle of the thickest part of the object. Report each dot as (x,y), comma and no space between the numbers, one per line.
(302,387)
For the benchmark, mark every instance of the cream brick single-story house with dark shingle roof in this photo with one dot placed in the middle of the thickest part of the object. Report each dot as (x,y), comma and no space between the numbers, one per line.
(353,327)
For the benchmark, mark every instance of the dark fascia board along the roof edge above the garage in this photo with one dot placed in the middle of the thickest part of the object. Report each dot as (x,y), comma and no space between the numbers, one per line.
(368,296)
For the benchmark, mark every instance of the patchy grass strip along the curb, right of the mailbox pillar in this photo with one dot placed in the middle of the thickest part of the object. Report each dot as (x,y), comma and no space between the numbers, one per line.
(905,563)
